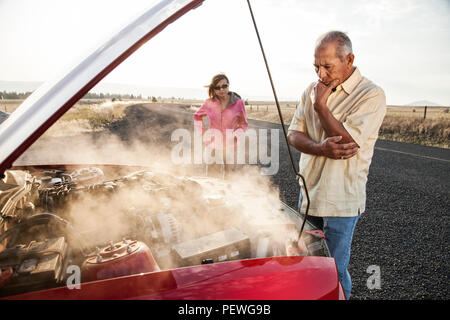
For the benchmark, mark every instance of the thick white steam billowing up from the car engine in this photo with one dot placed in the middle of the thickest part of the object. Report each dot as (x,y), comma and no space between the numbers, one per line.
(163,195)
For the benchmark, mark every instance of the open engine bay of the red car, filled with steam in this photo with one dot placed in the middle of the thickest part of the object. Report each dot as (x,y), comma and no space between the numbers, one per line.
(112,221)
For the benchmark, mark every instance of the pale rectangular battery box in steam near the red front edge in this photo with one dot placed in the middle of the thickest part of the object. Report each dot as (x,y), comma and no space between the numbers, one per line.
(229,244)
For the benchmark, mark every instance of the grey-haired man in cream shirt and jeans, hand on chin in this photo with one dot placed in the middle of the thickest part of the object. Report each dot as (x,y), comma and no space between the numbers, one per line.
(335,128)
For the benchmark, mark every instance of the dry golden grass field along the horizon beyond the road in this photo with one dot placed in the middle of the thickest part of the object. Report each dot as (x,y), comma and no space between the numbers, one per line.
(402,123)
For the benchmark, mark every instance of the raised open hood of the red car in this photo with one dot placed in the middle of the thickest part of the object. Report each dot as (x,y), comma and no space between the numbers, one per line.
(54,98)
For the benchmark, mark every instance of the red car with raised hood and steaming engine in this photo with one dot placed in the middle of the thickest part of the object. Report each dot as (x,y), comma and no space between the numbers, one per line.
(164,249)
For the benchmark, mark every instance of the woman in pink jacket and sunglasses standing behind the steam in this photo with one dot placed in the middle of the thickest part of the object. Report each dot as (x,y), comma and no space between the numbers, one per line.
(225,111)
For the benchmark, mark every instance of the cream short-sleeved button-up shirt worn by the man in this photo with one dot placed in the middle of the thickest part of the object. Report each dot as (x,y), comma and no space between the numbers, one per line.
(337,188)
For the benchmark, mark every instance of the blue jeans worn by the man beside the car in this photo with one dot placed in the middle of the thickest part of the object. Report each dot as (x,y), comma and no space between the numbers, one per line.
(339,234)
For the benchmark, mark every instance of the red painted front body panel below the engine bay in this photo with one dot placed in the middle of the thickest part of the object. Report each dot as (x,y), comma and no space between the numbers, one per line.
(275,278)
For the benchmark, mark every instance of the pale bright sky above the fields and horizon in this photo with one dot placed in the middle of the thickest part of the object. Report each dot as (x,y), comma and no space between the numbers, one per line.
(402,45)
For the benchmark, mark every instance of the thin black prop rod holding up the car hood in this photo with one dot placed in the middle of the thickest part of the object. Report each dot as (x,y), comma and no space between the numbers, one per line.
(297,174)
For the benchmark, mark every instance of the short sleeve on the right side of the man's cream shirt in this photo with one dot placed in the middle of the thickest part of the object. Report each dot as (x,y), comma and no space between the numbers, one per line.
(368,117)
